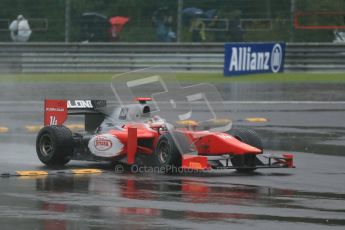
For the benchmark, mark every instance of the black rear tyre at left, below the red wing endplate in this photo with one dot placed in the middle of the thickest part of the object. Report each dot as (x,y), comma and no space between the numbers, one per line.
(54,145)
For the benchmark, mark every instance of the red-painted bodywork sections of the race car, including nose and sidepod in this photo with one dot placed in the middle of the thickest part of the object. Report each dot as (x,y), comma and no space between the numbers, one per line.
(207,143)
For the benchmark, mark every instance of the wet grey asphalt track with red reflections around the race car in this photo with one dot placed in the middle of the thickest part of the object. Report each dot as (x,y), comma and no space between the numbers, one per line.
(308,123)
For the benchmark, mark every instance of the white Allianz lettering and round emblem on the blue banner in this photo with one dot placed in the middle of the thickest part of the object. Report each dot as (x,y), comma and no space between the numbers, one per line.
(244,59)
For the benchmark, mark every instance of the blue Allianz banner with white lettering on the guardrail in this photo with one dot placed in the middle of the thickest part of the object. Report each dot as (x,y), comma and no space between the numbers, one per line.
(248,58)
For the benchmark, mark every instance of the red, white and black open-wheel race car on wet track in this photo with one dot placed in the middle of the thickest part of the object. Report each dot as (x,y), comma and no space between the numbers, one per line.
(127,133)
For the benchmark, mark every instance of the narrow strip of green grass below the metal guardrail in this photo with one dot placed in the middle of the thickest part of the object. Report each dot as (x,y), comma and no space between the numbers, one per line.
(182,77)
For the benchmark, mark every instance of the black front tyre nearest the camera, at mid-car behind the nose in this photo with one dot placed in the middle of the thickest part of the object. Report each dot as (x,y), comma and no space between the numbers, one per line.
(167,154)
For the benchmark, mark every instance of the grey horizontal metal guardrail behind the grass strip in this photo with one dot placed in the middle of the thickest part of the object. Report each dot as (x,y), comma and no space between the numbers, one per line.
(118,57)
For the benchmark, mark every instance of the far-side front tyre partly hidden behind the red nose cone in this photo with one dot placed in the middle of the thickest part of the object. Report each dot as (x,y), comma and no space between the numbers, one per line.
(249,137)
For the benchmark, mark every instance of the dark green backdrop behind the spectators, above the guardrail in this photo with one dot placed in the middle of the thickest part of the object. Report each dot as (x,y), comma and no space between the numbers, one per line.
(47,18)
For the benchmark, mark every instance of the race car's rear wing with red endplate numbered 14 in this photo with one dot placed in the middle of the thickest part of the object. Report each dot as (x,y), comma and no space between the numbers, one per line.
(57,111)
